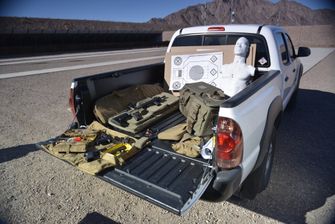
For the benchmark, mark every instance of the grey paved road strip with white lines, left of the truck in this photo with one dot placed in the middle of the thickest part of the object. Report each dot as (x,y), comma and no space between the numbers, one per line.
(16,67)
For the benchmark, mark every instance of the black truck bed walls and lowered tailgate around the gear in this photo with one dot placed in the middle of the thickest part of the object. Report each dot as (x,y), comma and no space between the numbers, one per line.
(157,174)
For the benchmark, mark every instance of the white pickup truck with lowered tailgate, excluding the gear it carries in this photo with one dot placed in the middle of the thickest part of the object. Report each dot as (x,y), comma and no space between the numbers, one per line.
(245,131)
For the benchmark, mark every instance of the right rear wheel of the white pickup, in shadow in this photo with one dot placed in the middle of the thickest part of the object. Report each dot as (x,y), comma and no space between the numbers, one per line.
(259,179)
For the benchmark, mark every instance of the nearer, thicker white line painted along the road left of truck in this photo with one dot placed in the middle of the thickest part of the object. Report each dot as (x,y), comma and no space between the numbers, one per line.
(42,71)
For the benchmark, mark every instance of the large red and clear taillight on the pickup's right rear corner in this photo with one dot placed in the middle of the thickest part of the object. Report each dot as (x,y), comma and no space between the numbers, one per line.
(229,143)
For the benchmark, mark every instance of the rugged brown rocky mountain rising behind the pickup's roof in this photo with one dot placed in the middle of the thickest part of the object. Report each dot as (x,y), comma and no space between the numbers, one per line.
(284,12)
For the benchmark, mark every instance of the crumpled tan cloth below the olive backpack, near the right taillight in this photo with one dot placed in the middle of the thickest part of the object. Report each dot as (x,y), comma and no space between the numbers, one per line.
(188,146)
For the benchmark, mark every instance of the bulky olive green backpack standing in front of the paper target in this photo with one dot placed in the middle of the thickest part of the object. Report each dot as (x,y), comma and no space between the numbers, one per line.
(199,103)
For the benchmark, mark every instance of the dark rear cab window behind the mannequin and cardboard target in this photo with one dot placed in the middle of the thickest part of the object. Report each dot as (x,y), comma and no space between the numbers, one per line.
(262,54)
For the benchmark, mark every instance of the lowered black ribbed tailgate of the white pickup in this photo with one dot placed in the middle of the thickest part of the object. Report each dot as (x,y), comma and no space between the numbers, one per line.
(163,177)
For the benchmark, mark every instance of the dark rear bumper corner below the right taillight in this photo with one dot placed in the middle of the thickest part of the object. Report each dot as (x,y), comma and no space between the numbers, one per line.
(224,185)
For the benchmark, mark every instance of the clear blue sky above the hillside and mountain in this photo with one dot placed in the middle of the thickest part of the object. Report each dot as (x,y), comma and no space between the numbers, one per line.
(111,10)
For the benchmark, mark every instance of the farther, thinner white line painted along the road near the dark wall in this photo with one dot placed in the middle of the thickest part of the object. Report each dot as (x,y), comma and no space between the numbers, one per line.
(75,56)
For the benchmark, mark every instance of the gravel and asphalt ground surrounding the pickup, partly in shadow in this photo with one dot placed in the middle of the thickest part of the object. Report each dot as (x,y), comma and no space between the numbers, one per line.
(38,188)
